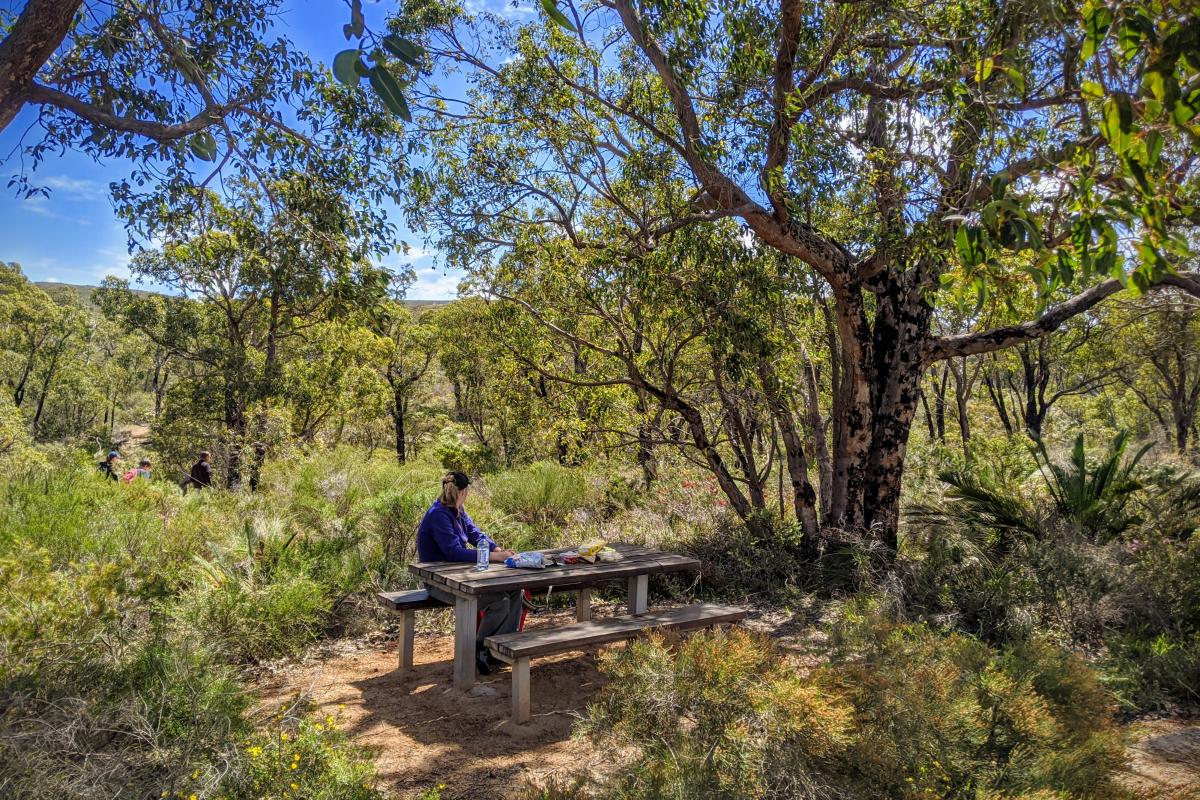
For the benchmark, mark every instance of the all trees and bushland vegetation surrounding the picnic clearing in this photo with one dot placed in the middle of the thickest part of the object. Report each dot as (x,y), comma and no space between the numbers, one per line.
(887,312)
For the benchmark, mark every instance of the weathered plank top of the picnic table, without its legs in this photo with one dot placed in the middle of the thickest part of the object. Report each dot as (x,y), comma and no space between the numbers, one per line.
(463,579)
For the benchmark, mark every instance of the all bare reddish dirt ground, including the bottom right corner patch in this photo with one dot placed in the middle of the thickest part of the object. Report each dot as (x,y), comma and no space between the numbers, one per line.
(427,733)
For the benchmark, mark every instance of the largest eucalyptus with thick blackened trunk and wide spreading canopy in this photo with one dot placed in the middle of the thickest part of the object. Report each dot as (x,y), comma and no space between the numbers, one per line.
(901,154)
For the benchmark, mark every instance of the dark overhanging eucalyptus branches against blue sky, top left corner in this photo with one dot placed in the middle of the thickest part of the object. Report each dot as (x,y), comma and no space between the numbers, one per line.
(190,93)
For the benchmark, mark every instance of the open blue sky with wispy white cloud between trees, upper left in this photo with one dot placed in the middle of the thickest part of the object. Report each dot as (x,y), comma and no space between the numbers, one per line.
(74,237)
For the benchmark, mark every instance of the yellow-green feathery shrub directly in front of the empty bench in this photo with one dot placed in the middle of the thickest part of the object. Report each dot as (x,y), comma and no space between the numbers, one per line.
(722,715)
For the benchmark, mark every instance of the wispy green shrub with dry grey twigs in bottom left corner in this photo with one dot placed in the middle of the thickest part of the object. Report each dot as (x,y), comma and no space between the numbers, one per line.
(101,699)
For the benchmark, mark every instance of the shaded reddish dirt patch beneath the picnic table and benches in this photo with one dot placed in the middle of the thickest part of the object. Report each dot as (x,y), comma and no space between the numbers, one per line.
(424,732)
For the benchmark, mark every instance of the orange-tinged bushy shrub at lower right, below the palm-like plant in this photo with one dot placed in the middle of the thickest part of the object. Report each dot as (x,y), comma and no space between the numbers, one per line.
(952,717)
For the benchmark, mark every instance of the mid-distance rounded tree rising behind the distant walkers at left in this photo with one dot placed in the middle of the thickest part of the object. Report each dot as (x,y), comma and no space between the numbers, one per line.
(248,279)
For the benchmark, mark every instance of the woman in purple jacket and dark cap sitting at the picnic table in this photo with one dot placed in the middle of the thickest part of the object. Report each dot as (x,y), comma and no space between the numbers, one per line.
(445,536)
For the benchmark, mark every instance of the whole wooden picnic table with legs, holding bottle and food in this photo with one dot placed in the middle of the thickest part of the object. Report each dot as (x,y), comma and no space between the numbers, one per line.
(466,584)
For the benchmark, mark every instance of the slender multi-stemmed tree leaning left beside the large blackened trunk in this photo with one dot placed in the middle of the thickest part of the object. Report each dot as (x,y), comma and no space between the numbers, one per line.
(695,336)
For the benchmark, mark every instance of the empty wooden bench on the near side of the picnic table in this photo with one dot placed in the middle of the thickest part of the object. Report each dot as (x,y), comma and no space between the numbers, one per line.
(519,648)
